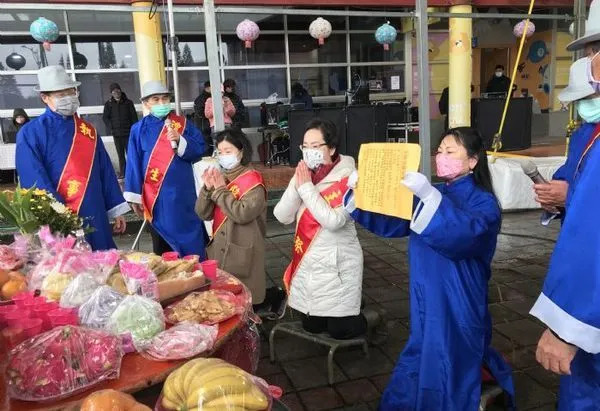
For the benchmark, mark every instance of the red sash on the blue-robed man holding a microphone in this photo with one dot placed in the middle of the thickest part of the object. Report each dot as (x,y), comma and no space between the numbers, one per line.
(160,159)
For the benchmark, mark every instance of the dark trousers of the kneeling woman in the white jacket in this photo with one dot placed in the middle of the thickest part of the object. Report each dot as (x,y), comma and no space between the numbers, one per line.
(340,328)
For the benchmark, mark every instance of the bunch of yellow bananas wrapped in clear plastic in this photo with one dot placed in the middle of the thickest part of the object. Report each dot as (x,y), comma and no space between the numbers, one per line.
(213,384)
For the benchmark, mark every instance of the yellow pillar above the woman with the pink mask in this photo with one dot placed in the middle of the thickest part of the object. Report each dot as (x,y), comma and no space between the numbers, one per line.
(460,68)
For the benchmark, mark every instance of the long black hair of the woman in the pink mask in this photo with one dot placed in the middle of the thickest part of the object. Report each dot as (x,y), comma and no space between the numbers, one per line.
(472,141)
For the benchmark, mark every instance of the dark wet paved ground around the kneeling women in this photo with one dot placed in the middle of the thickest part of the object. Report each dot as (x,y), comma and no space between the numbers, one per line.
(519,266)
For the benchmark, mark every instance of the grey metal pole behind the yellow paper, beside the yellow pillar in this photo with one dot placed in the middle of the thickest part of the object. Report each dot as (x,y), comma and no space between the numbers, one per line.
(423,71)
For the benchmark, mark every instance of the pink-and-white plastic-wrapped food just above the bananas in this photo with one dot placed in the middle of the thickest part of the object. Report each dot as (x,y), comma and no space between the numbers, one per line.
(185,340)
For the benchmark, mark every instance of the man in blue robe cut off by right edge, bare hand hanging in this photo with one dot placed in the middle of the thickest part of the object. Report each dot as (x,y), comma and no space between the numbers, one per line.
(569,304)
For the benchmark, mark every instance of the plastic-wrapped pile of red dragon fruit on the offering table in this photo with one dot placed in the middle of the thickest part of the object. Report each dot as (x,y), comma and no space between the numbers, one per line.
(62,362)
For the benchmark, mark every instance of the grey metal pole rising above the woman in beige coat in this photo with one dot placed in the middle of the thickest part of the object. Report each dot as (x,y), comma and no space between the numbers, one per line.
(212,50)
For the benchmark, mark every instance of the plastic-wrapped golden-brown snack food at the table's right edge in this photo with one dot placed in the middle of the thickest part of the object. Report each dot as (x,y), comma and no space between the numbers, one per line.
(207,307)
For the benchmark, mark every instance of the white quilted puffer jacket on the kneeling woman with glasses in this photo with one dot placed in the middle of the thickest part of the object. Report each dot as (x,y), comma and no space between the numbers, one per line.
(328,281)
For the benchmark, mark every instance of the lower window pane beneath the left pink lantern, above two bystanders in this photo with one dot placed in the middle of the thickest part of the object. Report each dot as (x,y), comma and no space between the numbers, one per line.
(259,83)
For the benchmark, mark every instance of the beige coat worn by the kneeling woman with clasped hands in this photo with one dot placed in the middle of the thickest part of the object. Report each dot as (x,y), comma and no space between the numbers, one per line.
(239,245)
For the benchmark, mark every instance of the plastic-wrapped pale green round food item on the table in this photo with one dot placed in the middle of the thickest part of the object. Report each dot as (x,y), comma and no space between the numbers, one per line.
(141,317)
